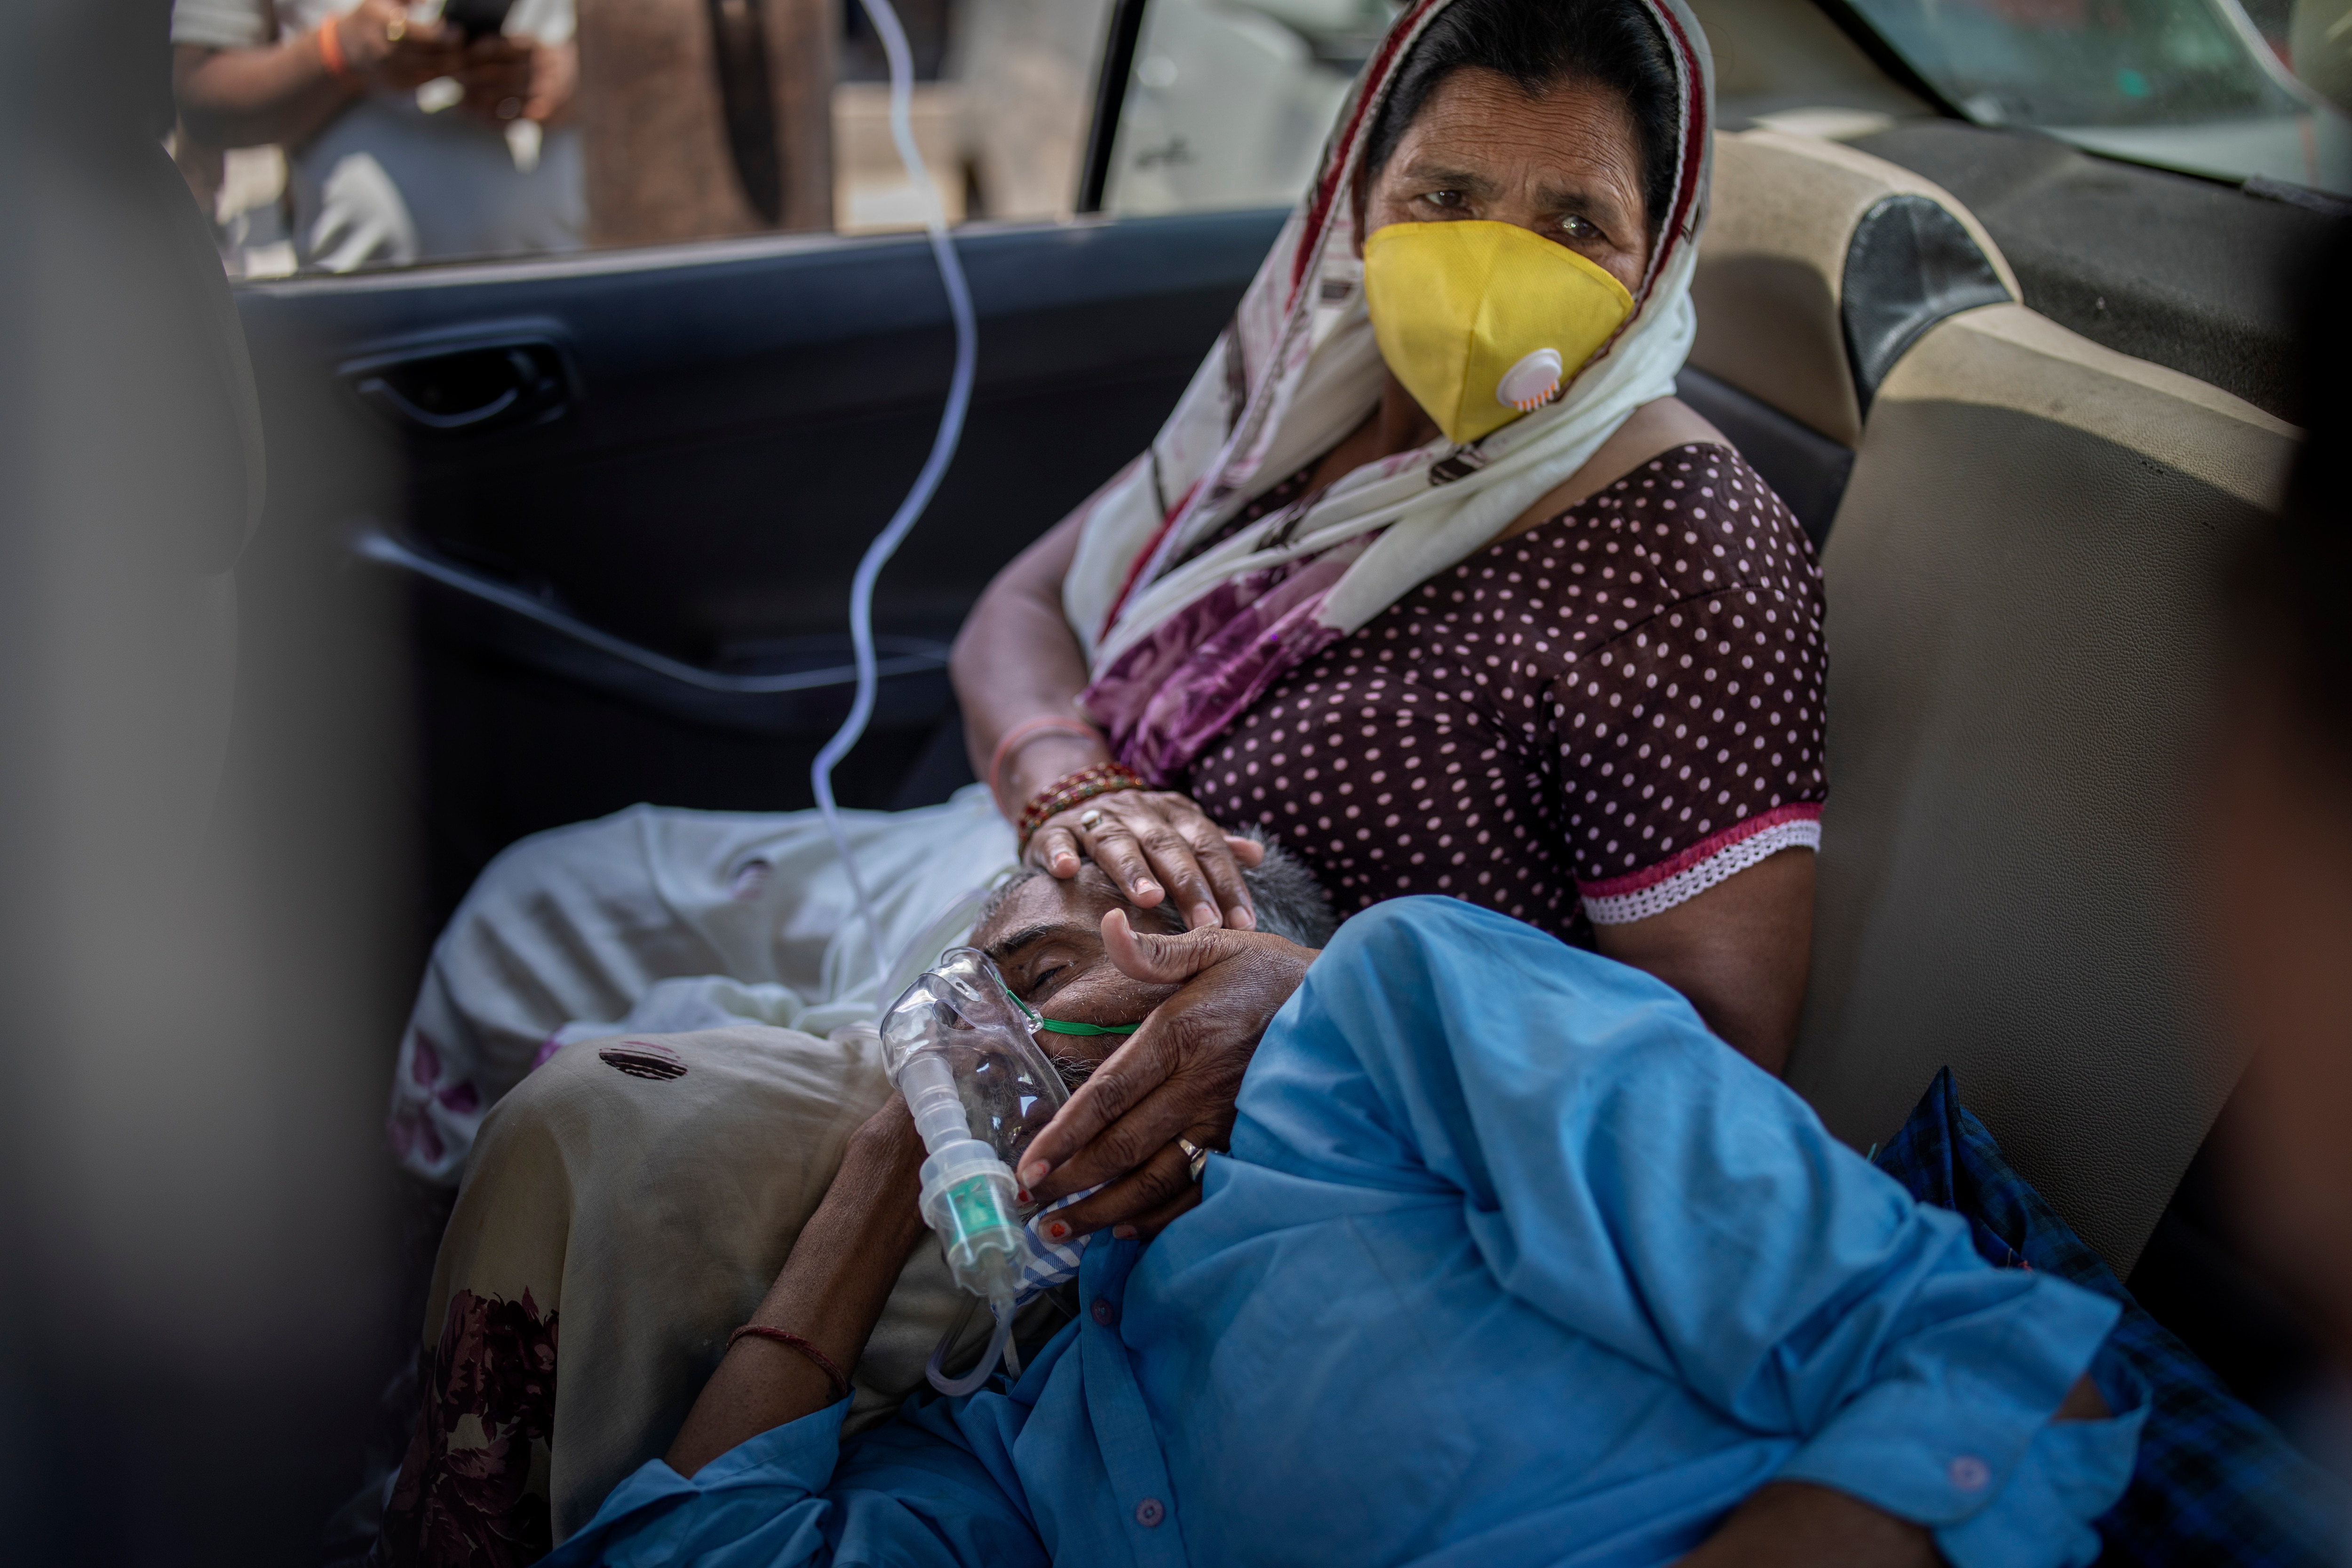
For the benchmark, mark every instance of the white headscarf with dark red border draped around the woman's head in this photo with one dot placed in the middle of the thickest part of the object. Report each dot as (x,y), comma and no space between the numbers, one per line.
(1299,370)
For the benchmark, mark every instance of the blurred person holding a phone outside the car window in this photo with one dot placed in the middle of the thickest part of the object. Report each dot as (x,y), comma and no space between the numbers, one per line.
(408,135)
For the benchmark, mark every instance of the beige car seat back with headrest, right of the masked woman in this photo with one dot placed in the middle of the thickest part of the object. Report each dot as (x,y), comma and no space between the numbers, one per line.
(2022,650)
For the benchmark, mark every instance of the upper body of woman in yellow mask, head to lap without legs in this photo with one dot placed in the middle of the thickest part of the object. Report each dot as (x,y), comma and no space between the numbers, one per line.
(1412,570)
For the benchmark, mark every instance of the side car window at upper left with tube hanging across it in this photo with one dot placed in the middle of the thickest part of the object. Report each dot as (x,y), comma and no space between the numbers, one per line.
(359,135)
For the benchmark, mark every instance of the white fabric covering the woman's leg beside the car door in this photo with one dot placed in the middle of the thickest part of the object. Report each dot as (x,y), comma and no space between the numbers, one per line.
(664,923)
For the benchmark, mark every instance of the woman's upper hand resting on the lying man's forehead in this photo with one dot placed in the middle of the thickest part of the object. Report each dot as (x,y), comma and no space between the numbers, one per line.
(1156,845)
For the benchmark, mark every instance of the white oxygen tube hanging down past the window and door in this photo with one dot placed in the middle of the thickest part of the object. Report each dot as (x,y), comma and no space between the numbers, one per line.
(951,431)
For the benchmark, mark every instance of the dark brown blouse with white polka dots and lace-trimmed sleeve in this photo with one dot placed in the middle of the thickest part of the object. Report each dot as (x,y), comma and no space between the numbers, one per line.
(1591,721)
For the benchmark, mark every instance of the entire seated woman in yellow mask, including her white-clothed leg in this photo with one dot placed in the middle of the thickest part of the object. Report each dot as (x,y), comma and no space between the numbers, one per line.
(1429,577)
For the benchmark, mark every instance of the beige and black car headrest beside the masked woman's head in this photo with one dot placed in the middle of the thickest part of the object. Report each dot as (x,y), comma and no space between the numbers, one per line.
(1819,267)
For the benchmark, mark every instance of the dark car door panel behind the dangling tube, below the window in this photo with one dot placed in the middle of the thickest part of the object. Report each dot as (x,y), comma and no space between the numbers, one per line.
(629,577)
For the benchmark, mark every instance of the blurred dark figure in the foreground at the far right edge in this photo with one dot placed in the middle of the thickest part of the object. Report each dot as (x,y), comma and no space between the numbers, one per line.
(2280,843)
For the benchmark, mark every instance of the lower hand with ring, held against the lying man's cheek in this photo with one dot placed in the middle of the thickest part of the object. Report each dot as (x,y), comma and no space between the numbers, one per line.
(1175,1078)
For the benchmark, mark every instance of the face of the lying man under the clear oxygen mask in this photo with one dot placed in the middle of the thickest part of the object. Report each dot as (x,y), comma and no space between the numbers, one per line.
(1048,939)
